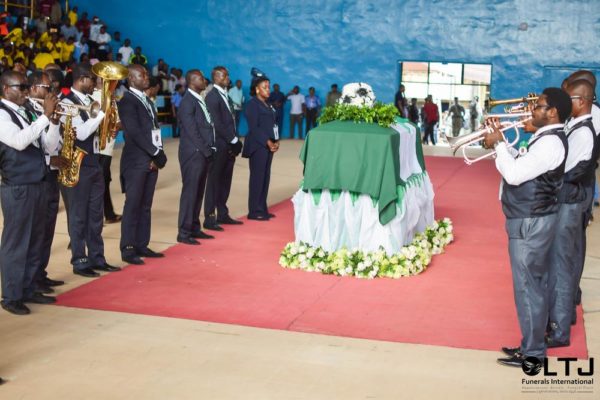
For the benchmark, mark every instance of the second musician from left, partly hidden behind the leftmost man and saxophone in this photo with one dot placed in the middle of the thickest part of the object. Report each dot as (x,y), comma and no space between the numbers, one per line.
(40,87)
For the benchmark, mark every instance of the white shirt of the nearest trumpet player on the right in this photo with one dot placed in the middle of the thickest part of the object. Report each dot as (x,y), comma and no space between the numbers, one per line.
(547,154)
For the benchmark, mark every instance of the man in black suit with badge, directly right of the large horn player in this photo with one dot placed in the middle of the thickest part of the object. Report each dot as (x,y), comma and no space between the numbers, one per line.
(141,159)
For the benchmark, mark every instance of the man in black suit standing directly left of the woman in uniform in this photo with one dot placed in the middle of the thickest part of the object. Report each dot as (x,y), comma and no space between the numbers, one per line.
(228,148)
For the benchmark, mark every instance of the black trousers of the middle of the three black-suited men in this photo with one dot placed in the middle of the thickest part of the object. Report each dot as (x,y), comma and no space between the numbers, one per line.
(194,172)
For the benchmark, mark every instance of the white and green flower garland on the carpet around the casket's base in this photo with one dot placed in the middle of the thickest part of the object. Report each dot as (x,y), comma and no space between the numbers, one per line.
(411,260)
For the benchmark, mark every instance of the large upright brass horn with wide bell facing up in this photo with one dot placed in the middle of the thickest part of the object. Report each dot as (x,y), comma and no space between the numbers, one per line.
(111,73)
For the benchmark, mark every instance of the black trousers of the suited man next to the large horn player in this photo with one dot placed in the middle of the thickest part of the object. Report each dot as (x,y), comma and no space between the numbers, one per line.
(139,186)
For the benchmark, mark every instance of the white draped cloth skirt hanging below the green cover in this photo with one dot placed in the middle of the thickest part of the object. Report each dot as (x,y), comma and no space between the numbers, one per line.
(342,223)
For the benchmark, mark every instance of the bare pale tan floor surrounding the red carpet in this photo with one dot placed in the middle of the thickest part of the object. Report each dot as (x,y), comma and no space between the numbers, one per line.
(64,353)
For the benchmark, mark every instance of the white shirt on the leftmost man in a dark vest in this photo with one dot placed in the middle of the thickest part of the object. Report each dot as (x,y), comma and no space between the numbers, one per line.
(13,136)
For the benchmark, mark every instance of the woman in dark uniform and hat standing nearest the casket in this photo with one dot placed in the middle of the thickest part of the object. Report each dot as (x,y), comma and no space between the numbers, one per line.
(260,144)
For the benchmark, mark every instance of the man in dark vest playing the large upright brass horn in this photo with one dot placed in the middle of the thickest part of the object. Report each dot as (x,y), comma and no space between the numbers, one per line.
(86,199)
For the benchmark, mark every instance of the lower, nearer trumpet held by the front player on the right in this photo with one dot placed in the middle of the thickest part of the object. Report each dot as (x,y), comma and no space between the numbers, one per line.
(464,141)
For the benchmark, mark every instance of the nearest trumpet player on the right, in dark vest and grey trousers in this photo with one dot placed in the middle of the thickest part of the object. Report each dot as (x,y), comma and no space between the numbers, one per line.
(532,178)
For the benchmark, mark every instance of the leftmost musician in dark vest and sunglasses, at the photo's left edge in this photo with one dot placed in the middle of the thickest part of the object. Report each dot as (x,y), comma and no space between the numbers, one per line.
(22,192)
